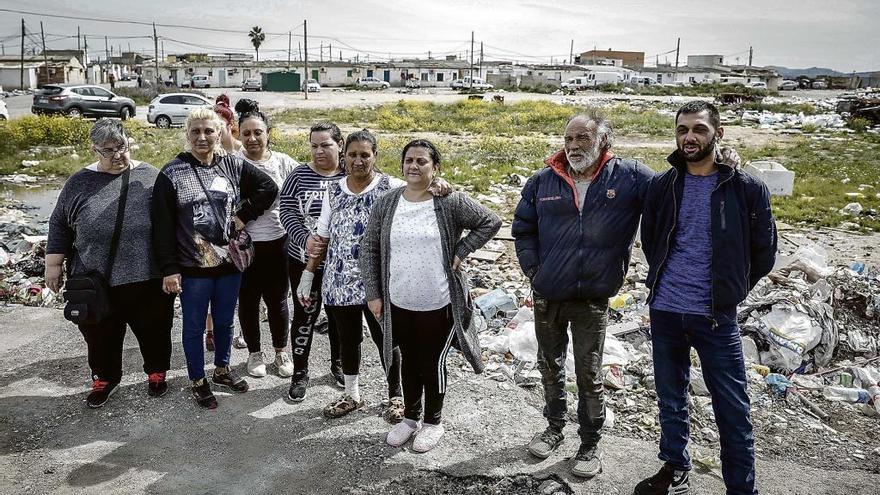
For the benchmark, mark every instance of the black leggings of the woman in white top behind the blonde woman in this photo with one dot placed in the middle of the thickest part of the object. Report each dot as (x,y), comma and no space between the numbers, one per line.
(265,279)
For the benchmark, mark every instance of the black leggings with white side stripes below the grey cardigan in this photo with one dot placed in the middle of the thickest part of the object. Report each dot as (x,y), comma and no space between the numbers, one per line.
(424,338)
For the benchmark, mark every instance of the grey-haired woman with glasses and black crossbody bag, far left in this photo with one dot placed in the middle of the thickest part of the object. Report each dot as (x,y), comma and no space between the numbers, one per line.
(84,218)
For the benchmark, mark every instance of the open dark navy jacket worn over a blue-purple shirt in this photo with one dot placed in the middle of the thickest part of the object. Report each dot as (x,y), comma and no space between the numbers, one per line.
(743,230)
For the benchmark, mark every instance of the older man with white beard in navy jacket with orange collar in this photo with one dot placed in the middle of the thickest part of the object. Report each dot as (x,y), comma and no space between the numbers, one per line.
(574,227)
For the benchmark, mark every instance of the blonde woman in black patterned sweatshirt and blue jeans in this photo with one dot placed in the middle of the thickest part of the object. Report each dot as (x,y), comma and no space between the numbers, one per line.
(200,199)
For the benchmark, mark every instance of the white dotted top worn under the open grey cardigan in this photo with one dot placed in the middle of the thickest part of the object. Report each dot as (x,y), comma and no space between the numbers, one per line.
(417,276)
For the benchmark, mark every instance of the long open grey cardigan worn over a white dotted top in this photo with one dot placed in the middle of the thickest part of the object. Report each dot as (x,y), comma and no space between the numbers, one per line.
(455,213)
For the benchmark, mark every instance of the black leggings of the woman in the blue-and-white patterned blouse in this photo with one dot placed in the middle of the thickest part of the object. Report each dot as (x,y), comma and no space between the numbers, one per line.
(349,323)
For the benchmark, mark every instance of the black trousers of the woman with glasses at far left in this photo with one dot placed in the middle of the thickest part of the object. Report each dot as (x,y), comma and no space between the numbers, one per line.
(149,312)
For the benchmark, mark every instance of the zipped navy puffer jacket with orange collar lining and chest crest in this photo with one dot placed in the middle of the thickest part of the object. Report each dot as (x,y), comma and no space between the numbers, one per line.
(577,255)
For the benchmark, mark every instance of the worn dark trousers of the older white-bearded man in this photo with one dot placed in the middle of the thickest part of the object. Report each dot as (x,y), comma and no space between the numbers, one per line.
(588,320)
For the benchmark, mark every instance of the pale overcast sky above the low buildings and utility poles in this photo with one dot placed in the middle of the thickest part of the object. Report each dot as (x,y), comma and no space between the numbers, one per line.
(841,35)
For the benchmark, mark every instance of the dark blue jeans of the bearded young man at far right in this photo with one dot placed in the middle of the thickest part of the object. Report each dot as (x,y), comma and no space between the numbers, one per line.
(720,349)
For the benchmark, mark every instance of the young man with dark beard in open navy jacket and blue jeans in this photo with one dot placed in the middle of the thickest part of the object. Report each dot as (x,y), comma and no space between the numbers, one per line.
(709,236)
